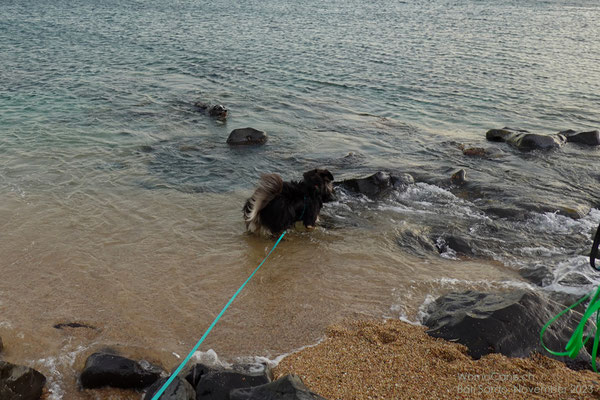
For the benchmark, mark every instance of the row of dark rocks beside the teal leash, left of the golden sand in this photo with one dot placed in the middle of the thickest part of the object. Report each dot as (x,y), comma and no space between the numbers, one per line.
(201,382)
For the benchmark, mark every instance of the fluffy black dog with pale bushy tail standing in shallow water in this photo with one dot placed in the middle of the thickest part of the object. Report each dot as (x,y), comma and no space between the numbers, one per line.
(277,205)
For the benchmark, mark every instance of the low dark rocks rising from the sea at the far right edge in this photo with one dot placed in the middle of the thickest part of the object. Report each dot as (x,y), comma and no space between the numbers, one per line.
(525,140)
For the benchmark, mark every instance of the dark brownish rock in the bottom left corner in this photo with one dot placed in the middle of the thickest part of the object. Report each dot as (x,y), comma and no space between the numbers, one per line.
(20,383)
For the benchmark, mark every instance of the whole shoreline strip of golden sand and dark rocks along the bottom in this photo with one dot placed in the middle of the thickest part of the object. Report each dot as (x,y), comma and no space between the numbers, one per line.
(472,345)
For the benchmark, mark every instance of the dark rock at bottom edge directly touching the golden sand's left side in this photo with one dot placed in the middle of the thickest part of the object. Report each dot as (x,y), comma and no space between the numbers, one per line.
(289,387)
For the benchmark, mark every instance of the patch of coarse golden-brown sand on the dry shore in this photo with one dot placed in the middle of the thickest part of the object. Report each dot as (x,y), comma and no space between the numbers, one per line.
(395,360)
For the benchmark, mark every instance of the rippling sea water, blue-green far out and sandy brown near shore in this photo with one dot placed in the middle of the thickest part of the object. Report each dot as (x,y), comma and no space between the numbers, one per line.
(120,202)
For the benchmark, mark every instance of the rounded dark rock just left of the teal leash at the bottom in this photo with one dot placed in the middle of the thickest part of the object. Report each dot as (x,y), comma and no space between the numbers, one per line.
(111,370)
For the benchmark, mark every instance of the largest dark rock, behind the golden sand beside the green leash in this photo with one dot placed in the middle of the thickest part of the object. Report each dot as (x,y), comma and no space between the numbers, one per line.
(506,323)
